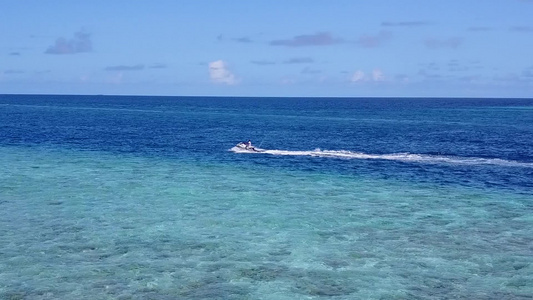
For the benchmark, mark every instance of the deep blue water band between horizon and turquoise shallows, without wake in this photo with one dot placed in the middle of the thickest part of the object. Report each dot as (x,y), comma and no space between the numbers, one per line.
(203,129)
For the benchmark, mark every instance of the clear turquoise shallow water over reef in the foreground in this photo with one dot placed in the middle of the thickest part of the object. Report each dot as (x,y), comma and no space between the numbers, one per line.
(97,225)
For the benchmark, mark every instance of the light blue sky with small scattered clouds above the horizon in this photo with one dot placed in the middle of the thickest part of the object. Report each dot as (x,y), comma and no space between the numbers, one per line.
(295,48)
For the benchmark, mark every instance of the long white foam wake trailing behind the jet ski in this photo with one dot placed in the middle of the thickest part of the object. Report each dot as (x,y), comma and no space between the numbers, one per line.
(405,157)
